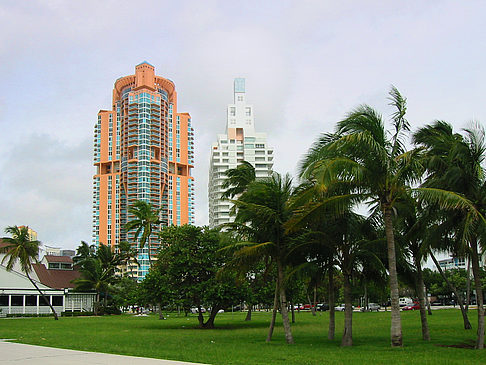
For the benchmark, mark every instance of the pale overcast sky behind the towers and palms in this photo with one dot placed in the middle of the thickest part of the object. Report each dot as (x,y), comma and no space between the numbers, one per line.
(306,64)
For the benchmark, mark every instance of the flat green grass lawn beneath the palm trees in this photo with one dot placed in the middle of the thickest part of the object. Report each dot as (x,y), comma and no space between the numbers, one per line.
(237,342)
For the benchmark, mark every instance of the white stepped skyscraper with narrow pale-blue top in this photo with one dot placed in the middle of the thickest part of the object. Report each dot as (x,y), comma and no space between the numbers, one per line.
(240,142)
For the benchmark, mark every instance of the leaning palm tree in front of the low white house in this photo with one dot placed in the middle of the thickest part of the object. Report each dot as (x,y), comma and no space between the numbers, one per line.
(24,250)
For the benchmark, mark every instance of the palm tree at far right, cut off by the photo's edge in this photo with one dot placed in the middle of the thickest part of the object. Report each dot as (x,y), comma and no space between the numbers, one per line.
(455,171)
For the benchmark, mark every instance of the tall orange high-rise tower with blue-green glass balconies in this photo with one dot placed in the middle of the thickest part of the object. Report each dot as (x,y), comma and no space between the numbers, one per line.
(143,150)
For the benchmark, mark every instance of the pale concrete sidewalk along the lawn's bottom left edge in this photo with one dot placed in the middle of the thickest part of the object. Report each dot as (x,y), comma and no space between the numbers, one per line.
(17,353)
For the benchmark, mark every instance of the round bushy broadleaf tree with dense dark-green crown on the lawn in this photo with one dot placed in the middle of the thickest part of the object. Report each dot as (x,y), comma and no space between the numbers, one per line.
(189,264)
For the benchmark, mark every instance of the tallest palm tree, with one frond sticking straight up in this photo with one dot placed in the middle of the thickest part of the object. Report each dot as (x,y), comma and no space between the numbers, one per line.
(376,168)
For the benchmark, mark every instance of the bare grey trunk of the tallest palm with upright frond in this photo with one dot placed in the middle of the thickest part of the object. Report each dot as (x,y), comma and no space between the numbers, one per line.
(396,323)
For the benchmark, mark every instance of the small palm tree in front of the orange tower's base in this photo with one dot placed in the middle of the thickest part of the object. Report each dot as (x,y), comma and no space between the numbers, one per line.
(146,219)
